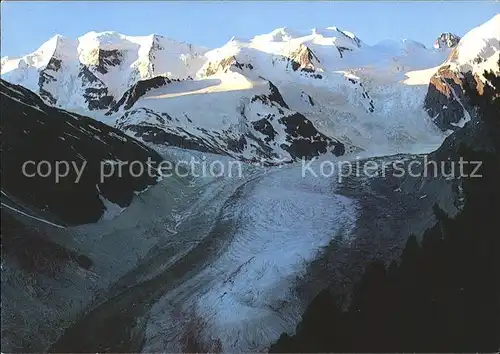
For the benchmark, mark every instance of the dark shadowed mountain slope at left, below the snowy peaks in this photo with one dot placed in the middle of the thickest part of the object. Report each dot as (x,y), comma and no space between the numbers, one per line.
(32,131)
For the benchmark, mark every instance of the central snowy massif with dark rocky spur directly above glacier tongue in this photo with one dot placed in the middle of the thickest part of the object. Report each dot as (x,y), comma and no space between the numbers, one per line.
(334,86)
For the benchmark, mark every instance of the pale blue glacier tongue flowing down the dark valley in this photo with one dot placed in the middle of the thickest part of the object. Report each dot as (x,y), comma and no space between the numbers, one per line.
(272,229)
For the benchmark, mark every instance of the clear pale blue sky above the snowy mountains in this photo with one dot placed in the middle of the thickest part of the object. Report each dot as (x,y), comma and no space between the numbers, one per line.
(26,25)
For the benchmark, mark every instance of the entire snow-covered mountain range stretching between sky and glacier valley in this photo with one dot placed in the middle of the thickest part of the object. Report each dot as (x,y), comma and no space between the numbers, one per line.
(276,97)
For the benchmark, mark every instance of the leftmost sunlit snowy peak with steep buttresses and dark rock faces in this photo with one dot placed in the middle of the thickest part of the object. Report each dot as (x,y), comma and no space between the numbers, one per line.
(93,71)
